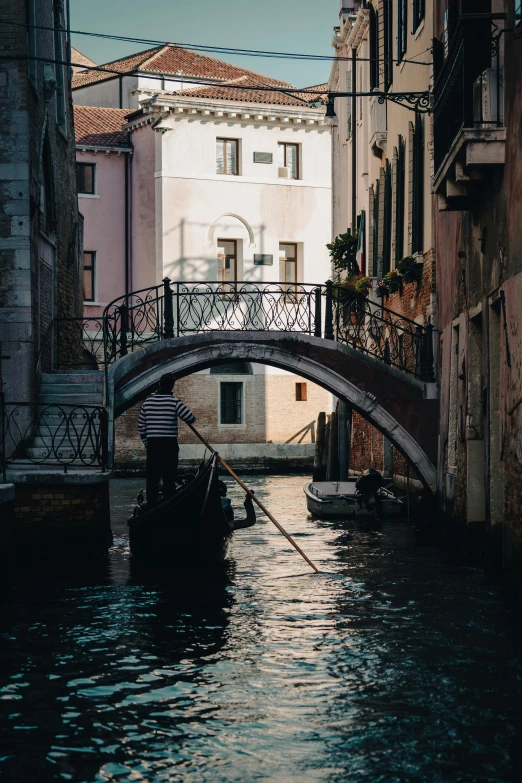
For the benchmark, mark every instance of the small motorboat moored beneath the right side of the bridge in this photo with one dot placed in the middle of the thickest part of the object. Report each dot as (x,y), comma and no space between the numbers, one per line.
(343,499)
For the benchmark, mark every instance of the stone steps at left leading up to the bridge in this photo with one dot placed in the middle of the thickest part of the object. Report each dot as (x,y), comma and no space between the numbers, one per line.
(70,432)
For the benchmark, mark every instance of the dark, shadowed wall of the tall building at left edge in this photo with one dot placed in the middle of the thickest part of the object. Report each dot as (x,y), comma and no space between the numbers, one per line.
(31,143)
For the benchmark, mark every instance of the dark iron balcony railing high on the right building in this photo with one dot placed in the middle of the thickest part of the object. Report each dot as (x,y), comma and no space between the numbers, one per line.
(469,86)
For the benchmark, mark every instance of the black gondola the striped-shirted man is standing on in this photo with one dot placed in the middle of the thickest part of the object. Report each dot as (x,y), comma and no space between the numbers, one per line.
(189,528)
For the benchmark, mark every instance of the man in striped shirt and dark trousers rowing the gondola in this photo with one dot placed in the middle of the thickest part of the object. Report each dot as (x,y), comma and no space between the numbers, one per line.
(158,429)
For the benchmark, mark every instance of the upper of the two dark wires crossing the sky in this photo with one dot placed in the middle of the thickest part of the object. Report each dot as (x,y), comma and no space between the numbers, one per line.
(216,49)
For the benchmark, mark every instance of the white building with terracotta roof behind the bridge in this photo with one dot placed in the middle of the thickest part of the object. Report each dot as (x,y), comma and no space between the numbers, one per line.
(225,184)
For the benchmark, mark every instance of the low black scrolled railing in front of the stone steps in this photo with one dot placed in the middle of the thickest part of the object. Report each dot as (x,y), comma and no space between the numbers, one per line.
(68,436)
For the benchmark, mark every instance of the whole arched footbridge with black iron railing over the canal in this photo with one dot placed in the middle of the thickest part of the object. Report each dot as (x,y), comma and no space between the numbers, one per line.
(378,361)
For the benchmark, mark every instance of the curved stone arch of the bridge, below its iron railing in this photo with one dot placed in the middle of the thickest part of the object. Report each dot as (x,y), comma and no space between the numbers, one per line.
(393,402)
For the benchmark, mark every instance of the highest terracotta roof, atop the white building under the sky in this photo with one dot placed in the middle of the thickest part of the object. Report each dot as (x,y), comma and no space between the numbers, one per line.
(174,60)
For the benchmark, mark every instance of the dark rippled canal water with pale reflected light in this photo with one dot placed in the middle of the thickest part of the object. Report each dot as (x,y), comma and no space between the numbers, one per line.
(396,663)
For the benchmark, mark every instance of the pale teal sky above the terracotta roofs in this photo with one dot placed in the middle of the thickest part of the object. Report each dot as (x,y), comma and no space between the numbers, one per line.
(297,26)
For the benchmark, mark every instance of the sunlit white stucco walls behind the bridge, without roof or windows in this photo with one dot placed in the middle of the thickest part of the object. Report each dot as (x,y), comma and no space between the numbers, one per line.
(180,211)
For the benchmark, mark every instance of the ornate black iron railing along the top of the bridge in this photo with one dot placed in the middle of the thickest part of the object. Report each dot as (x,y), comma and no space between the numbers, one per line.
(177,309)
